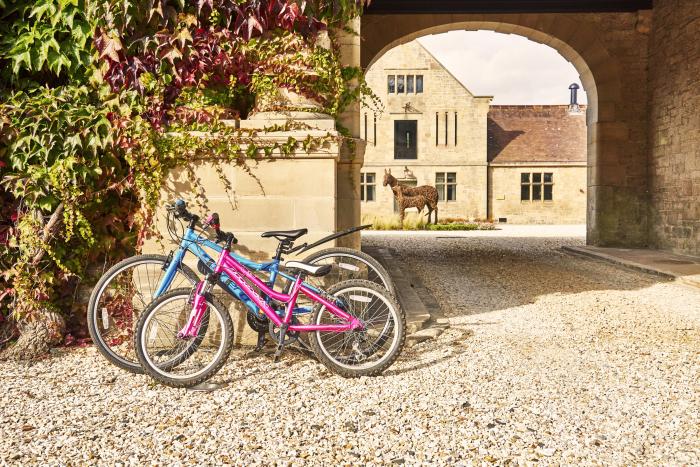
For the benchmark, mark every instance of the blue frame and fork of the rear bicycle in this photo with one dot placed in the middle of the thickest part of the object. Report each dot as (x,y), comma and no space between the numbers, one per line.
(193,243)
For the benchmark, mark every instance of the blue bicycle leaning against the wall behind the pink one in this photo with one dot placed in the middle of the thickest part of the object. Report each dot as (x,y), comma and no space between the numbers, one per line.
(127,288)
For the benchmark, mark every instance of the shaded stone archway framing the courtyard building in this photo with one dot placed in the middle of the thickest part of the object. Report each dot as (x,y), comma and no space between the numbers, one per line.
(610,52)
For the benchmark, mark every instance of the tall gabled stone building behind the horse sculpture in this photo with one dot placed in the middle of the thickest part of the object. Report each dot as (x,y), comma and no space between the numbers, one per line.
(431,131)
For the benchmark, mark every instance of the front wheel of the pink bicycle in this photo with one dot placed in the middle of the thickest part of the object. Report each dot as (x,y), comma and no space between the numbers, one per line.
(176,361)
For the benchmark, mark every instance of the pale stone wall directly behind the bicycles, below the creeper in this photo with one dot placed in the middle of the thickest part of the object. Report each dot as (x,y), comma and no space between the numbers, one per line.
(281,193)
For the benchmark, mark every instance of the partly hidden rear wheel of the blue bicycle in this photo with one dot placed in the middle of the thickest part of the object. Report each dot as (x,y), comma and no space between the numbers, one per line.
(348,264)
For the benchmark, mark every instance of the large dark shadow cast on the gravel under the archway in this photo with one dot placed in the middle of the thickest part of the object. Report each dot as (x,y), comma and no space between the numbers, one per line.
(470,275)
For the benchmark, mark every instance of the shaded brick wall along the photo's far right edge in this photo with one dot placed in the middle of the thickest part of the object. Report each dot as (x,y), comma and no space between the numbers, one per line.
(674,163)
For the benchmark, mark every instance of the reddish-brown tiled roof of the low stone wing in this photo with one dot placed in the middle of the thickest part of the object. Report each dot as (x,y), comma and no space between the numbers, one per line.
(536,133)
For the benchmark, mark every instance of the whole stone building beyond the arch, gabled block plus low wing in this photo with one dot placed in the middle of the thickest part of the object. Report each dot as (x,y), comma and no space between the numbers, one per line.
(522,164)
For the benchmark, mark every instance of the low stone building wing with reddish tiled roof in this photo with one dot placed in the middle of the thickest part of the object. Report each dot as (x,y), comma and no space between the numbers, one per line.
(537,164)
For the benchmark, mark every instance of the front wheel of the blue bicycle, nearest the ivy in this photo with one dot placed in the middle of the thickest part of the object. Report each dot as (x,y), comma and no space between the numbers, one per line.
(118,300)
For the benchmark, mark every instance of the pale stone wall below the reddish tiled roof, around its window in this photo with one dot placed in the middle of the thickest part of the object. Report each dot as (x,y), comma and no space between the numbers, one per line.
(568,205)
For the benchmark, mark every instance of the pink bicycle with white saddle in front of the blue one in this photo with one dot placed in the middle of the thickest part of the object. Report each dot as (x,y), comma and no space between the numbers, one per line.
(356,327)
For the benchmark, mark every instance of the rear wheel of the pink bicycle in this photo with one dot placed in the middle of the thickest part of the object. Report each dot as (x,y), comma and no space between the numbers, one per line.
(366,352)
